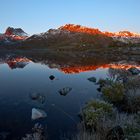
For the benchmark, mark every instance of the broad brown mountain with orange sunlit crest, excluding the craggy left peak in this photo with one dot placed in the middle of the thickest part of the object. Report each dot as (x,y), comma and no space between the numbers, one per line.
(77,35)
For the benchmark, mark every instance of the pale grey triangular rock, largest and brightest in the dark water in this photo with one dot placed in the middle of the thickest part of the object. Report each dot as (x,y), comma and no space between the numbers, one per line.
(38,113)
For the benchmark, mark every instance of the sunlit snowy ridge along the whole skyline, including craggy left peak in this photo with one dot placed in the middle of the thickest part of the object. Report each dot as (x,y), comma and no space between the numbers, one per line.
(19,34)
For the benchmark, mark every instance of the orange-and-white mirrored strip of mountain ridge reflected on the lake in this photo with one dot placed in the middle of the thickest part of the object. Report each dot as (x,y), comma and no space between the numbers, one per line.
(21,62)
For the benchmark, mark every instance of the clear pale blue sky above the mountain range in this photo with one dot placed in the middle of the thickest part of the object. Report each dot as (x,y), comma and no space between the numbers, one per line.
(36,16)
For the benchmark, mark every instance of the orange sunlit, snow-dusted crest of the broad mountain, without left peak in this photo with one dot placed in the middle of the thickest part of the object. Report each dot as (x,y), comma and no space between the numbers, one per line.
(123,36)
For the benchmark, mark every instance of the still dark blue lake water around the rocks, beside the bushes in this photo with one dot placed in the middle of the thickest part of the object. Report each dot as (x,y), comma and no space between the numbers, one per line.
(17,83)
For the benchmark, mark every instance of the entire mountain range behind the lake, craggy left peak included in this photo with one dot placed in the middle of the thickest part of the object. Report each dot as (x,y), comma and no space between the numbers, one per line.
(69,35)
